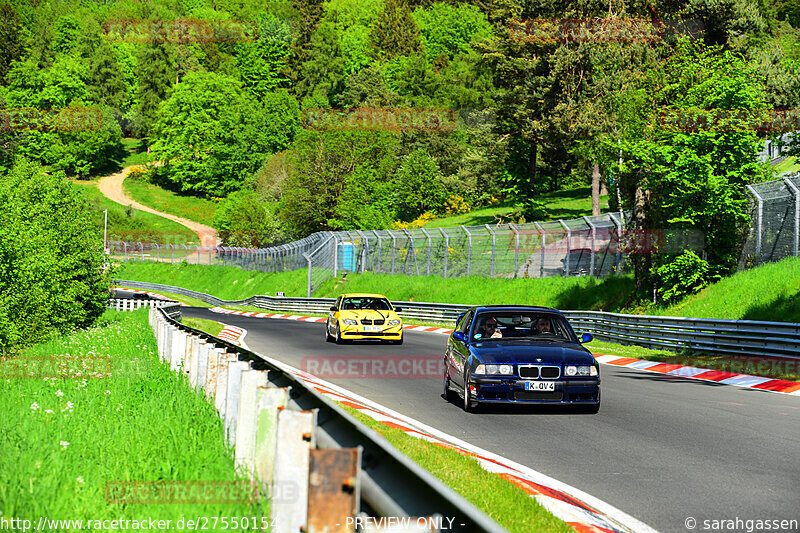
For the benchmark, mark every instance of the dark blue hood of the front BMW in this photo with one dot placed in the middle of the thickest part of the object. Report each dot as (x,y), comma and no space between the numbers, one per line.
(528,351)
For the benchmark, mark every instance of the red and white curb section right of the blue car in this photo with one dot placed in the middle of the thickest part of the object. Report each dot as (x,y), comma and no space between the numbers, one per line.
(704,374)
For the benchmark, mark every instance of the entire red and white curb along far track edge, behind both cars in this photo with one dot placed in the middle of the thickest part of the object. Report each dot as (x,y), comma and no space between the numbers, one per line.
(688,372)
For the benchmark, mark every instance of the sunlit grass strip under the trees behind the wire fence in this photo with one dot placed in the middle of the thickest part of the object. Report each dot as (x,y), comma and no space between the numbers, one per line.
(560,204)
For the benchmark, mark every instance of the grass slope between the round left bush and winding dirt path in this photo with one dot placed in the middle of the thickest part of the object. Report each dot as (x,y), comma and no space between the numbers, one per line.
(131,225)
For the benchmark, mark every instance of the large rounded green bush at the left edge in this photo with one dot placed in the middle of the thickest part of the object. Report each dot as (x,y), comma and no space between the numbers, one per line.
(51,258)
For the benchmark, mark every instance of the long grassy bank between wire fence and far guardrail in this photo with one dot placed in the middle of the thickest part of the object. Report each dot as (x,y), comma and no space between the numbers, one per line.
(770,292)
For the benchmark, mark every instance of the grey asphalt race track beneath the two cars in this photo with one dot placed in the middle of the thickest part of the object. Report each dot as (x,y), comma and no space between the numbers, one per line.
(662,448)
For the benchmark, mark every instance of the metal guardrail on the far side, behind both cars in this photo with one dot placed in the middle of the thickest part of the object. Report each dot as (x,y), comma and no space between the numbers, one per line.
(702,335)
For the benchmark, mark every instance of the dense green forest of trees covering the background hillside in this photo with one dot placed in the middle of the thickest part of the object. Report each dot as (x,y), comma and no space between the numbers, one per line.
(528,107)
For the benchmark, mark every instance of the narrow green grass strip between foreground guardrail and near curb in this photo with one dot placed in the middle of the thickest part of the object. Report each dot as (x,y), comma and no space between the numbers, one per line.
(501,500)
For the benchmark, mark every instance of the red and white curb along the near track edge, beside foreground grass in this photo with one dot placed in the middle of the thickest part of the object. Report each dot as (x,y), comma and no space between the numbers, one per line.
(583,512)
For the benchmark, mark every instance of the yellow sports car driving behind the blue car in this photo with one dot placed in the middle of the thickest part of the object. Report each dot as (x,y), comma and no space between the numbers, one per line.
(363,316)
